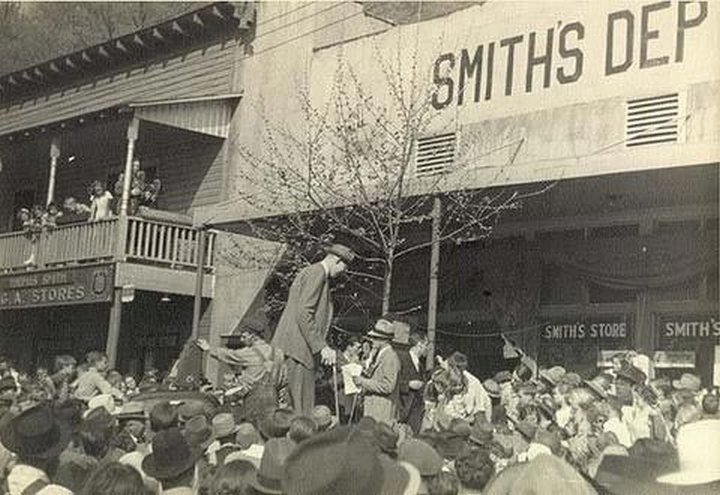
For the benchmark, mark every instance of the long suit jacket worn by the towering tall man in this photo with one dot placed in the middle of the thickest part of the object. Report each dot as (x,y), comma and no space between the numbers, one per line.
(304,323)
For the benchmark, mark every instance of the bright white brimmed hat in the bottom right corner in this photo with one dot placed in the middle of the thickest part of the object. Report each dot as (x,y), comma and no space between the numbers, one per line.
(698,447)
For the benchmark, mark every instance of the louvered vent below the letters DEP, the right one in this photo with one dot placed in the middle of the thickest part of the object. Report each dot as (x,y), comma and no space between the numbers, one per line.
(653,120)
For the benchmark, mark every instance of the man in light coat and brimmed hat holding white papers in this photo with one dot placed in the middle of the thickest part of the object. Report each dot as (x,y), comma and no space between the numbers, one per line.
(379,382)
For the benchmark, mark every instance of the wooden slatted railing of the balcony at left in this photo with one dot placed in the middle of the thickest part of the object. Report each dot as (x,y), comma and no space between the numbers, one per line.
(134,239)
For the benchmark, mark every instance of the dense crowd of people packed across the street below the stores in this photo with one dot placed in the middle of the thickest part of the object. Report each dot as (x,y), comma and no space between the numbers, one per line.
(444,431)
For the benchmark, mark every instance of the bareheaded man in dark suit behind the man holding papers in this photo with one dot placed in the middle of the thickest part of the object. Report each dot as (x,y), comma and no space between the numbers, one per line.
(412,381)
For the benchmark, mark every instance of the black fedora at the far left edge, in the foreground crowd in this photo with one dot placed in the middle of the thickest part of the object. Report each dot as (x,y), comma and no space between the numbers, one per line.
(35,433)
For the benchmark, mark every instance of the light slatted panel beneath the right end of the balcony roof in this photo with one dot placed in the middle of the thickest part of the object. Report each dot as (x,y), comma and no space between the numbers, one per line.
(206,115)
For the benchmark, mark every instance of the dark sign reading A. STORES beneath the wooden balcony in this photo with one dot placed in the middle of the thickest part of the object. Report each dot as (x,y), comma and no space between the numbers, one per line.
(93,284)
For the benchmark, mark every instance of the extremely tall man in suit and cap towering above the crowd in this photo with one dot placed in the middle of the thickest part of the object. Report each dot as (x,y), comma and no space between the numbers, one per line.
(304,324)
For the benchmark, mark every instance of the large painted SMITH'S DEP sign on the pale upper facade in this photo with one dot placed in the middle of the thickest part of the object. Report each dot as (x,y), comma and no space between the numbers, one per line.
(628,38)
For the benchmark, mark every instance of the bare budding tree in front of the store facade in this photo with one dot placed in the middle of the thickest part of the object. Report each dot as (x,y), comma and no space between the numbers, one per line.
(350,174)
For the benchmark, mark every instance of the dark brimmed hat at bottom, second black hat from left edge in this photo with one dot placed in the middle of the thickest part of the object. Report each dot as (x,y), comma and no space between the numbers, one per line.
(171,456)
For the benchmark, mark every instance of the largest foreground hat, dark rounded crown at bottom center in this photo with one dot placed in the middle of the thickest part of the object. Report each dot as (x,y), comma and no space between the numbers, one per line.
(350,465)
